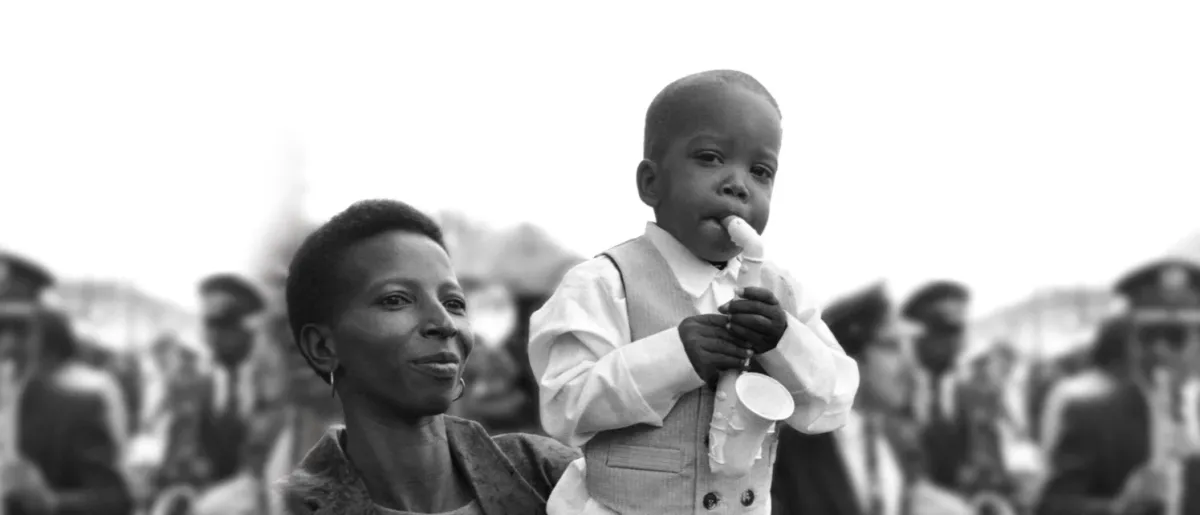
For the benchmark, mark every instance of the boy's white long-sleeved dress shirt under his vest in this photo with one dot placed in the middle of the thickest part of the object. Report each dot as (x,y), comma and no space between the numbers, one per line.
(593,379)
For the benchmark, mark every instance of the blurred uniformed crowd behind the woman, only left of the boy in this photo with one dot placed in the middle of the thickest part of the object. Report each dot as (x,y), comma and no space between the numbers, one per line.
(172,427)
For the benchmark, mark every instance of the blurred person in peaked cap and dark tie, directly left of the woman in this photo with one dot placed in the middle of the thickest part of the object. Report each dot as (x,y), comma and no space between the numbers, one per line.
(239,411)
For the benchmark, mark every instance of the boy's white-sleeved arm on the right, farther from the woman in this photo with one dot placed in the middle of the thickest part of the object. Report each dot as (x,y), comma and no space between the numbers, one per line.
(811,363)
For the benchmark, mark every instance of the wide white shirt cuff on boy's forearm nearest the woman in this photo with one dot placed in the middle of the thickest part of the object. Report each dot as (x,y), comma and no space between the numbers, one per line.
(661,369)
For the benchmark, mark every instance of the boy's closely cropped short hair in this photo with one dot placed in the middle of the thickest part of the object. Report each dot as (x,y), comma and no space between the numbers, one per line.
(662,111)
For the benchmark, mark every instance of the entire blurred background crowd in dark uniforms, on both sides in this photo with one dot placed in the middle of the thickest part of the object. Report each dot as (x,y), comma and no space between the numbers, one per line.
(175,428)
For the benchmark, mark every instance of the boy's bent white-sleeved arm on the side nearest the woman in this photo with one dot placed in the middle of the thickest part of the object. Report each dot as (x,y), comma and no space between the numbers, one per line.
(592,379)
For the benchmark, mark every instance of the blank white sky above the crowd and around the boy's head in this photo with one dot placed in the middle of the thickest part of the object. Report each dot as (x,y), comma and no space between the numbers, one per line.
(1011,145)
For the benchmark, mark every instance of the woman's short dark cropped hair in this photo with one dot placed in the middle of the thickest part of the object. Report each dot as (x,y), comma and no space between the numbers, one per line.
(313,277)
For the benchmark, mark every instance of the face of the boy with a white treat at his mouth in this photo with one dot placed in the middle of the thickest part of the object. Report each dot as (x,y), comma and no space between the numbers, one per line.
(721,160)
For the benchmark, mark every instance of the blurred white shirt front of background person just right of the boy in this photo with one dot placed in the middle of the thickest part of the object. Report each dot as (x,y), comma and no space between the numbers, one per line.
(853,444)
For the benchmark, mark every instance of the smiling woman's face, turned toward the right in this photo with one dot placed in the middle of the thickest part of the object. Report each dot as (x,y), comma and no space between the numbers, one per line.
(401,334)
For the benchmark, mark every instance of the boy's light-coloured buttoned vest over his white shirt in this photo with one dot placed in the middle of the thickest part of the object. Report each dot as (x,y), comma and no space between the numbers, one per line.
(664,471)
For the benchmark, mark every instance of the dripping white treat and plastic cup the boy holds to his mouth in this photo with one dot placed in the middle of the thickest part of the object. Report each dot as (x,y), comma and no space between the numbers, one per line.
(748,405)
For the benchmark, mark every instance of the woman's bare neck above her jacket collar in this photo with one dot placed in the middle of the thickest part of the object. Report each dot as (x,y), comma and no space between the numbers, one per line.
(405,464)
